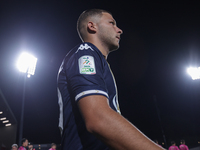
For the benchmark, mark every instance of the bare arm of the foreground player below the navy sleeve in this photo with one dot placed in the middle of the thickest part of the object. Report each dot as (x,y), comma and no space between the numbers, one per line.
(110,127)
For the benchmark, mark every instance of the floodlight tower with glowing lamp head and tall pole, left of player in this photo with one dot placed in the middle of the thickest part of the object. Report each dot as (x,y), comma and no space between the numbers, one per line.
(26,63)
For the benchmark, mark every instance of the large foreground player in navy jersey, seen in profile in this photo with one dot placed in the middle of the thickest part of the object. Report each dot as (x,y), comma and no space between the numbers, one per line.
(90,117)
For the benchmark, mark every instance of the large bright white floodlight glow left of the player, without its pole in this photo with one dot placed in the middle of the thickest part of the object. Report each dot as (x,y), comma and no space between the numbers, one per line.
(27,63)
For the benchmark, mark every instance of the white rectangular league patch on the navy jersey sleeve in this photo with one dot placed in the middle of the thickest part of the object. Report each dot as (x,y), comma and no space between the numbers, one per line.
(86,65)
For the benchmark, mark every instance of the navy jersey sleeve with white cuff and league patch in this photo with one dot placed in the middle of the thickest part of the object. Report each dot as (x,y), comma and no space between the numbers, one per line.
(84,73)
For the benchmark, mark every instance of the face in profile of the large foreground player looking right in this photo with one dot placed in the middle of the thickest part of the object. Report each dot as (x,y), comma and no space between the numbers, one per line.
(108,31)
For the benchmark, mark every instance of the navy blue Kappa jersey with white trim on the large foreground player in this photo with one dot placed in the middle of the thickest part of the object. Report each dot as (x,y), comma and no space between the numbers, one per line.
(84,71)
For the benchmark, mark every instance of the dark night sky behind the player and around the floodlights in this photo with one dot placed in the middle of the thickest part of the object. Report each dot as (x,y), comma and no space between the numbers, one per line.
(160,40)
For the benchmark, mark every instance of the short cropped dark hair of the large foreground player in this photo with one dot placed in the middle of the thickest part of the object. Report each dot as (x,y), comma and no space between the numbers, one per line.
(85,15)
